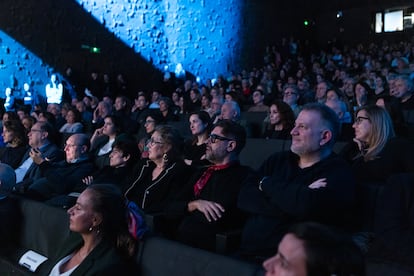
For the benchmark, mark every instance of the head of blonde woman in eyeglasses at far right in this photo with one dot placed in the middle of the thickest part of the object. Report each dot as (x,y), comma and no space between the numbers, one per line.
(373,127)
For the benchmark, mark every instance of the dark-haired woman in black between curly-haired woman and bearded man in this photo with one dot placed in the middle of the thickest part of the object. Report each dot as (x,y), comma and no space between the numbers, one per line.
(195,148)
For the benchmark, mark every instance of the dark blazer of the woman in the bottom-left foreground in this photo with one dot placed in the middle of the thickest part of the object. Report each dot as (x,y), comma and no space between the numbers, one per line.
(104,259)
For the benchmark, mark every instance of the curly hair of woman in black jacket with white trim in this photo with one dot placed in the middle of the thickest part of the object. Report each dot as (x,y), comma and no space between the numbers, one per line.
(172,136)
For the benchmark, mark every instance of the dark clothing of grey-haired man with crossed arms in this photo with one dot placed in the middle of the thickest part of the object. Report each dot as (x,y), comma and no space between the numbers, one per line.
(286,199)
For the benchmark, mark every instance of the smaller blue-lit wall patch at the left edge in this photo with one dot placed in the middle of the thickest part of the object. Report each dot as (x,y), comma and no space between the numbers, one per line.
(19,66)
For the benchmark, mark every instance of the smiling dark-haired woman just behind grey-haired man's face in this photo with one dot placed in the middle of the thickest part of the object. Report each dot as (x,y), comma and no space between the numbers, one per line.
(281,120)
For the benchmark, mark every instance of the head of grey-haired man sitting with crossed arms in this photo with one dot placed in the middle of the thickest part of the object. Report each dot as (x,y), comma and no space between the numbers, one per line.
(315,132)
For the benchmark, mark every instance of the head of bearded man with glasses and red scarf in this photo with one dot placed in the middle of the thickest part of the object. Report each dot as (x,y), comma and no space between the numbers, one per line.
(226,141)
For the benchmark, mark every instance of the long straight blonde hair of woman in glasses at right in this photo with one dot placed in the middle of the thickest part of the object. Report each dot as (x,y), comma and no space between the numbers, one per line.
(382,130)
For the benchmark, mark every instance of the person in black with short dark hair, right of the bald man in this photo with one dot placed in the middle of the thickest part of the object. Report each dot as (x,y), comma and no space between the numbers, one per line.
(121,160)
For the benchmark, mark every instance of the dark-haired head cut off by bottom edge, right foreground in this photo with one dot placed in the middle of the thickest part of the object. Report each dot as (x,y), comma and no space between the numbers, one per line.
(311,249)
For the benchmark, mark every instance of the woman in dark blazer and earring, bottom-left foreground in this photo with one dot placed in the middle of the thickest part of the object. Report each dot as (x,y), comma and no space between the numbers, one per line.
(101,243)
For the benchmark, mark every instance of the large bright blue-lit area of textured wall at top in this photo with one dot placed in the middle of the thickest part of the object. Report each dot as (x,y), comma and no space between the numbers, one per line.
(201,35)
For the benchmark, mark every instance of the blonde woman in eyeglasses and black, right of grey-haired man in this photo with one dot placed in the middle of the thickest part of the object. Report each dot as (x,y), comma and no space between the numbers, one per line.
(375,154)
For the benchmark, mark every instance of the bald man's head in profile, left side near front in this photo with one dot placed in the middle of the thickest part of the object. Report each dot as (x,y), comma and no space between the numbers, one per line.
(76,147)
